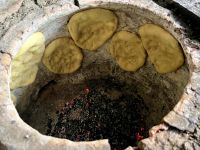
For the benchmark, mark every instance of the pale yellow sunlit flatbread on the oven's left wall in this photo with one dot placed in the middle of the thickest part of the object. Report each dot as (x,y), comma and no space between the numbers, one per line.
(24,66)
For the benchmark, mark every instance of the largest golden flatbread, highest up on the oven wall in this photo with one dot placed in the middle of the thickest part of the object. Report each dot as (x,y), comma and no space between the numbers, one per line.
(91,28)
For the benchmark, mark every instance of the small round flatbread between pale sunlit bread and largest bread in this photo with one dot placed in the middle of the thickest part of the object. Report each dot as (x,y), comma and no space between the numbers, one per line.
(62,56)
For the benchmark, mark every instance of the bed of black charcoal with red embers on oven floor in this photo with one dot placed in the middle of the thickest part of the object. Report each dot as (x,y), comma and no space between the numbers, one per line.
(103,110)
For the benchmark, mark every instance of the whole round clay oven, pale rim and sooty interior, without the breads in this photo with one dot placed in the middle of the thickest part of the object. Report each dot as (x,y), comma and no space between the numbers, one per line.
(163,108)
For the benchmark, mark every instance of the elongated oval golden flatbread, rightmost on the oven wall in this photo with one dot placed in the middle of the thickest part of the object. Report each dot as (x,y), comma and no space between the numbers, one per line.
(163,49)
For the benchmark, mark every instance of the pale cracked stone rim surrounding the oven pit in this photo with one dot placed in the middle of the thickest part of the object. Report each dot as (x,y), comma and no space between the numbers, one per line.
(183,122)
